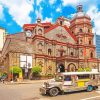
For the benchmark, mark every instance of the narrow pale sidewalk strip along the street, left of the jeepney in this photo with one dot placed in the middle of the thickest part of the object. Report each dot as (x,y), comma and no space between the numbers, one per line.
(24,82)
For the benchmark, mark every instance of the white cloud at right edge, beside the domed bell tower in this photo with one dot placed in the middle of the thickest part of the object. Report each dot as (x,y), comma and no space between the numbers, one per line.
(94,13)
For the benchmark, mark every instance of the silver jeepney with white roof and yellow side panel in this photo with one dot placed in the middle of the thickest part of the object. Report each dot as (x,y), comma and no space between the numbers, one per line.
(71,81)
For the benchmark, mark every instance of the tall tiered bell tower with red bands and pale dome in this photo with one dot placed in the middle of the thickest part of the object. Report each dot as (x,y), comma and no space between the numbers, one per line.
(81,27)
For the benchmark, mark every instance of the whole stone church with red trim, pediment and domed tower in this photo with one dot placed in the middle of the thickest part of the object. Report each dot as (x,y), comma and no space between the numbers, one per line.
(65,45)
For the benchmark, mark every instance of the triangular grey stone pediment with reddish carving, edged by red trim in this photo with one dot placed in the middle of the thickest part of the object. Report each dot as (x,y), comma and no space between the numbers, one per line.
(60,34)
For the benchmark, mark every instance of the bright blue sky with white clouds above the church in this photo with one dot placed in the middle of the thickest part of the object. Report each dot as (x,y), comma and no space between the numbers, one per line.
(15,13)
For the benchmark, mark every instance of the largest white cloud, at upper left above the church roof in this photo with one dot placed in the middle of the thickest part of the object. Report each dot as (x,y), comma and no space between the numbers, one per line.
(19,10)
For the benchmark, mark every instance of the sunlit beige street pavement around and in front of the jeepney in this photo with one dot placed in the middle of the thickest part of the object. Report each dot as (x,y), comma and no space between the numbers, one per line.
(29,90)
